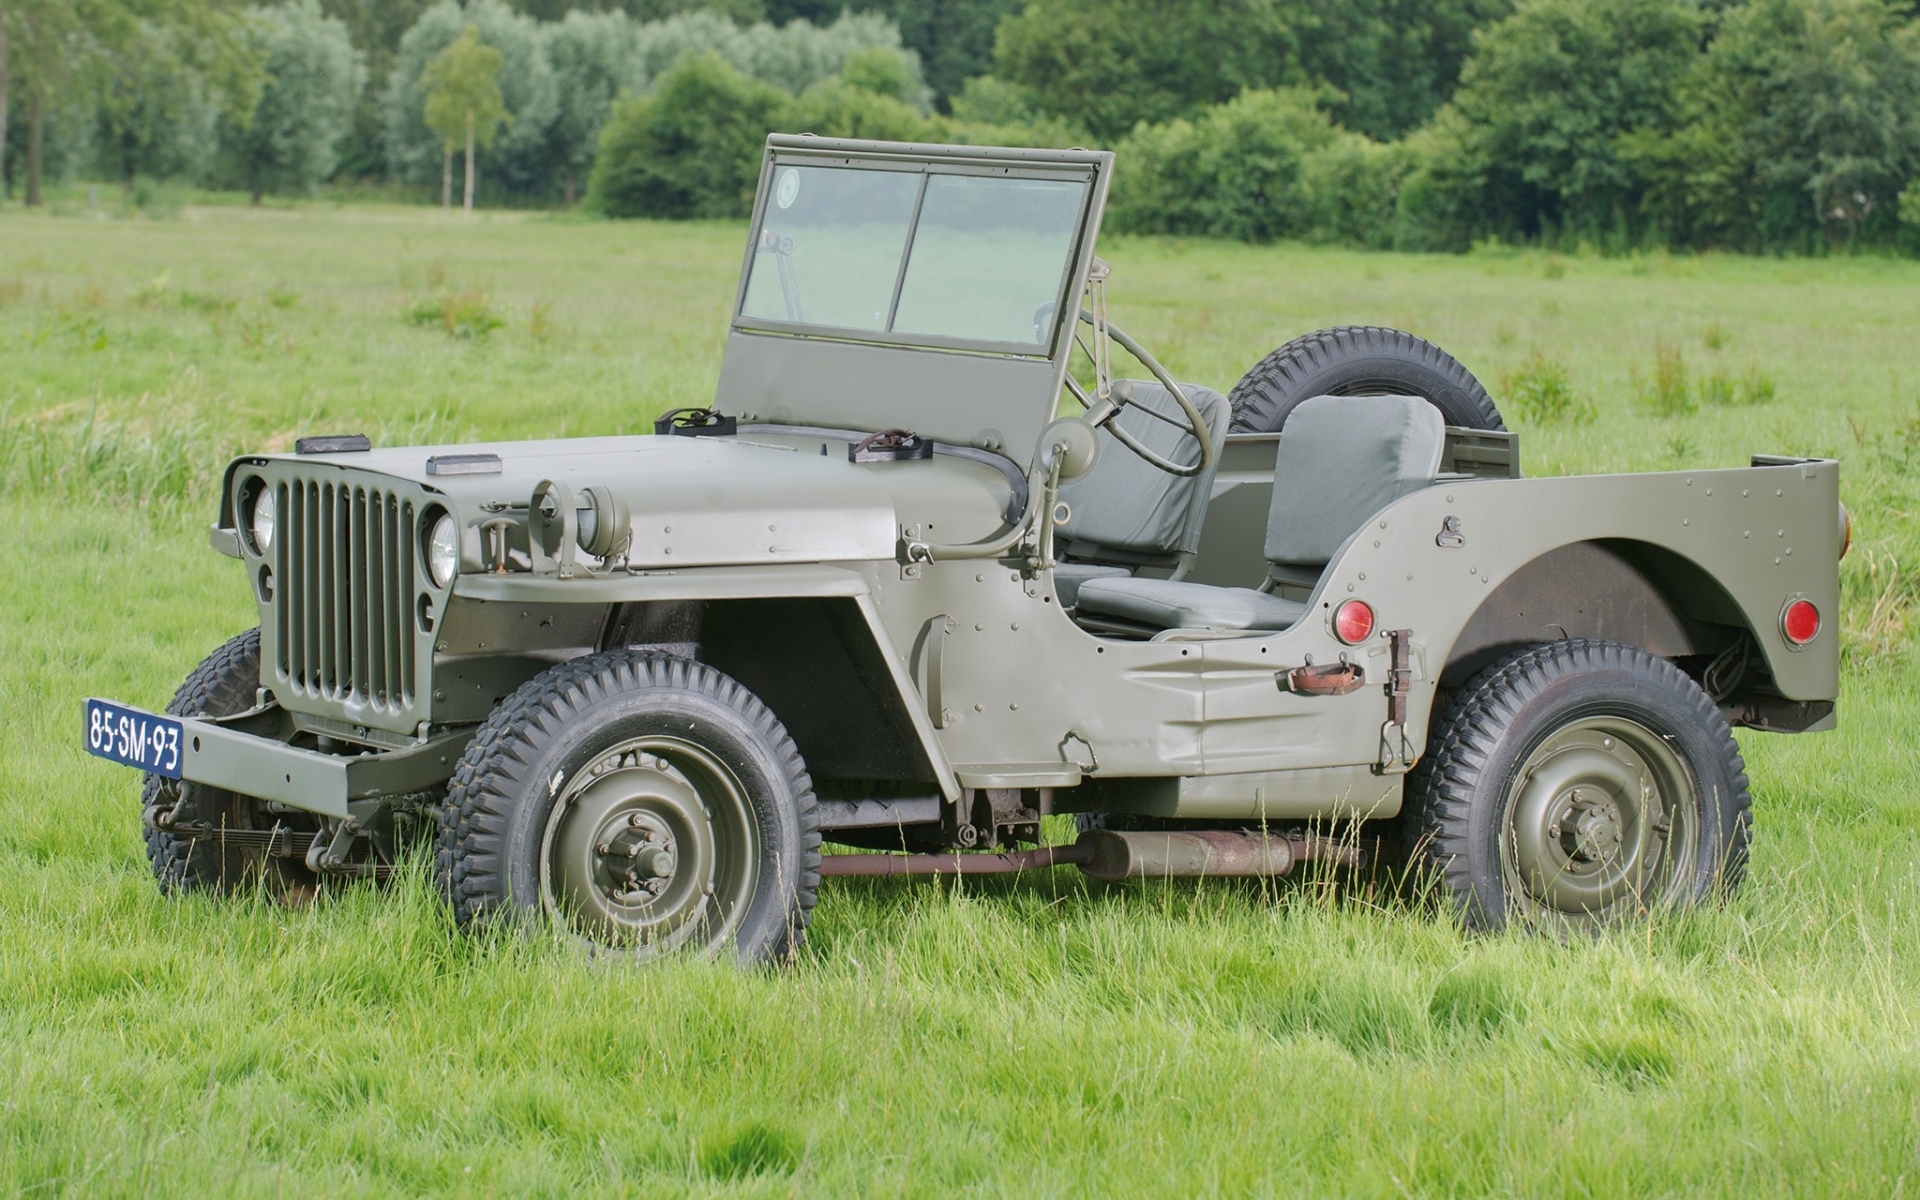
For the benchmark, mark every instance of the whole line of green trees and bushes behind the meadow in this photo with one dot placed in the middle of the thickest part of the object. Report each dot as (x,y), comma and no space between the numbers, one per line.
(1764,126)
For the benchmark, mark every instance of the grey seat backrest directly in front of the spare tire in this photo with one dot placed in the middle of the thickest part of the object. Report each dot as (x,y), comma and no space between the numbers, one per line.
(1343,460)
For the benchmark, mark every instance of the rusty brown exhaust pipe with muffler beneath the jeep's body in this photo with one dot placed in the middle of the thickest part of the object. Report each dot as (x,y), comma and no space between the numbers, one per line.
(1115,855)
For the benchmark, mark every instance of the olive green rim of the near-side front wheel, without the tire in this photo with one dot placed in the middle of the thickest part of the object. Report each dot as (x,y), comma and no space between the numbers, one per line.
(652,850)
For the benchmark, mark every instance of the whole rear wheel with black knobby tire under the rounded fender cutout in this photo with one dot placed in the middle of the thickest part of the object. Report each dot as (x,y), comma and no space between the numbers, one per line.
(1575,786)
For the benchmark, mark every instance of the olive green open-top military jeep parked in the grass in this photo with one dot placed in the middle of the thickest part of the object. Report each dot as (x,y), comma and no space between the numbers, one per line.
(884,594)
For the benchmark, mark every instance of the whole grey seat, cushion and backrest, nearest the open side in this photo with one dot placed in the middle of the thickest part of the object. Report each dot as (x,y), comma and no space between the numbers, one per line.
(1341,460)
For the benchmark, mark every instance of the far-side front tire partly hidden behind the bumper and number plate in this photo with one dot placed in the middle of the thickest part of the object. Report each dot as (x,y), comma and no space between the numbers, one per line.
(214,861)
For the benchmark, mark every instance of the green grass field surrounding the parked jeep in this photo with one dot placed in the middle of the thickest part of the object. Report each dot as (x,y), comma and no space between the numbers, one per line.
(1028,1038)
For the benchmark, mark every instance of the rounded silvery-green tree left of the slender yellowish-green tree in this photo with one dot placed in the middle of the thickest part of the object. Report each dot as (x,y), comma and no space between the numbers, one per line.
(306,108)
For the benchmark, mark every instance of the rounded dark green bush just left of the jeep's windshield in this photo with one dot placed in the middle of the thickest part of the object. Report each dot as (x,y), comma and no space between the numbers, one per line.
(690,149)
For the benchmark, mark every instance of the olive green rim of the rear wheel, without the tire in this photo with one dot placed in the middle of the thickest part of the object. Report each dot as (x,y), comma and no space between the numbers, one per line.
(1600,823)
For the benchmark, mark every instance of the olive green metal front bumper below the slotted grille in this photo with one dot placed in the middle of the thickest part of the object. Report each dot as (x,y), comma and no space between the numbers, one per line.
(229,756)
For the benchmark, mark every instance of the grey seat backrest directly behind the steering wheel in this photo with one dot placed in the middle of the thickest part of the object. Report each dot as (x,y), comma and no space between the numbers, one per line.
(1130,506)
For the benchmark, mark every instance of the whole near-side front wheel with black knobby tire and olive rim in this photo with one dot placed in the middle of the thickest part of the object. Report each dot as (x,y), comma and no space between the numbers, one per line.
(642,804)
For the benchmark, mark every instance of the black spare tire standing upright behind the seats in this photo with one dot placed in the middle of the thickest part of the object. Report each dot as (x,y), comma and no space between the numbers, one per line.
(1358,360)
